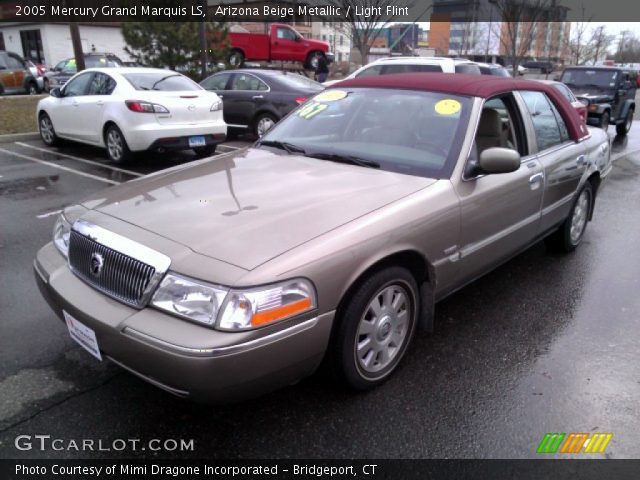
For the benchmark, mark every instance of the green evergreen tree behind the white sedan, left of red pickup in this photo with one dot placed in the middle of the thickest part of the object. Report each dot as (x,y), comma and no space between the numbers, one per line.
(173,44)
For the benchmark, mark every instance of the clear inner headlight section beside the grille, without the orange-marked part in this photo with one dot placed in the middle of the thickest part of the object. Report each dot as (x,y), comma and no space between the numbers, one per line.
(188,298)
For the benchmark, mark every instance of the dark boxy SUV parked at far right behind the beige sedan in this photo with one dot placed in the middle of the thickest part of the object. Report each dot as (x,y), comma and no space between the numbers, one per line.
(609,92)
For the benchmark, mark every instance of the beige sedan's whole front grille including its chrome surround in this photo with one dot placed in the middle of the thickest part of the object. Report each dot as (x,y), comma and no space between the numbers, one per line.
(131,270)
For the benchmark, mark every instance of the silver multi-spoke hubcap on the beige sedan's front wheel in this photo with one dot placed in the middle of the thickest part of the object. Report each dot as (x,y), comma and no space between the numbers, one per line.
(383,329)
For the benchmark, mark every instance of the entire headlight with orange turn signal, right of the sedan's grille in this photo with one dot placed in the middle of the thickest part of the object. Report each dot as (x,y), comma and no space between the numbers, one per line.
(233,309)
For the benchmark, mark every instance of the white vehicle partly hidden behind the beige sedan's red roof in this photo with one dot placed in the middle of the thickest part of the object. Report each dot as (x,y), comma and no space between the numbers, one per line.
(389,65)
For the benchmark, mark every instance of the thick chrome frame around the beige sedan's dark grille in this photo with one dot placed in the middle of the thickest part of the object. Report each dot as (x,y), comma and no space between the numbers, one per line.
(125,246)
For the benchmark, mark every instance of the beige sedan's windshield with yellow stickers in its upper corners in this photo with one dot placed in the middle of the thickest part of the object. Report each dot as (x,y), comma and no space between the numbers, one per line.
(404,131)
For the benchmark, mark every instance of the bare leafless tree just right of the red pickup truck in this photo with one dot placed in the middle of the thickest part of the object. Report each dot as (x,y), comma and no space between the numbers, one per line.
(366,22)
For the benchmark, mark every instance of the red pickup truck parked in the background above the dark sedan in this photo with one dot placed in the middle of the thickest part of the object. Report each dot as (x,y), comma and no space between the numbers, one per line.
(282,43)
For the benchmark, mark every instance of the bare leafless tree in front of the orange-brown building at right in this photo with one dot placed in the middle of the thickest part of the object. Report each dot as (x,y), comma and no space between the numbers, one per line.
(518,26)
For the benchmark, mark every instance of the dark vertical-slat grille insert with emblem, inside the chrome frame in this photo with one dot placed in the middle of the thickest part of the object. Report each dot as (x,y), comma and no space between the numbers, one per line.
(119,276)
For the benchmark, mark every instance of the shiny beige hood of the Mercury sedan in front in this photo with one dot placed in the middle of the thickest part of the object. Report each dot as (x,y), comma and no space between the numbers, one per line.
(254,205)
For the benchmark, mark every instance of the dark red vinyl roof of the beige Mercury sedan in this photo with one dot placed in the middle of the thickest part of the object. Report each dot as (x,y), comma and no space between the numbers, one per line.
(483,86)
